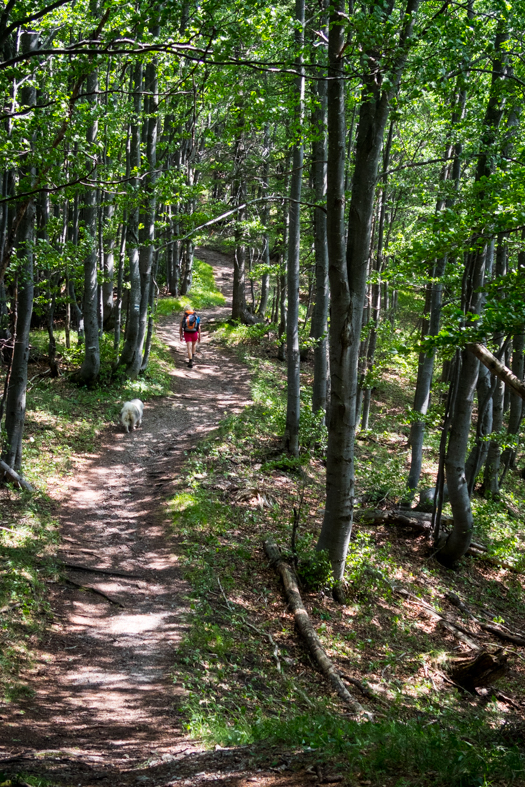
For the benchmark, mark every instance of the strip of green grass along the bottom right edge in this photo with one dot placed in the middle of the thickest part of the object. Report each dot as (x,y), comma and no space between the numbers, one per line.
(448,750)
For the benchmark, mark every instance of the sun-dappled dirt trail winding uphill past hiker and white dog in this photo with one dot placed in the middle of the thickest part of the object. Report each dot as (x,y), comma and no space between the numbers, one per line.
(104,701)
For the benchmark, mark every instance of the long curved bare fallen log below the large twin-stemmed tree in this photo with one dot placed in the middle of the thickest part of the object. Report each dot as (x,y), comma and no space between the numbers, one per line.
(305,628)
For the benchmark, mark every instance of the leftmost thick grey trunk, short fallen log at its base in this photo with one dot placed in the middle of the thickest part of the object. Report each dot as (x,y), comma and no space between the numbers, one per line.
(15,402)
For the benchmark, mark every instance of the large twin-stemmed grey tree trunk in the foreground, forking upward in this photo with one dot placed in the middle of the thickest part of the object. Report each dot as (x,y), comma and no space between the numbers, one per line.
(348,280)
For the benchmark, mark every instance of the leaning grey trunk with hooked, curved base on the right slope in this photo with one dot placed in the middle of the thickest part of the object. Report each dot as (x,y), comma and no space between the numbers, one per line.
(458,541)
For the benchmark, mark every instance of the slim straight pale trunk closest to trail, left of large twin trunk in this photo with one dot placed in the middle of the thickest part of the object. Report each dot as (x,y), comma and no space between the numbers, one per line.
(293,409)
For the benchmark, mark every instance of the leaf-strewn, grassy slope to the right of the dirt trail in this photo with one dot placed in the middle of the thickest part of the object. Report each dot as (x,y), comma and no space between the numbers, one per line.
(246,677)
